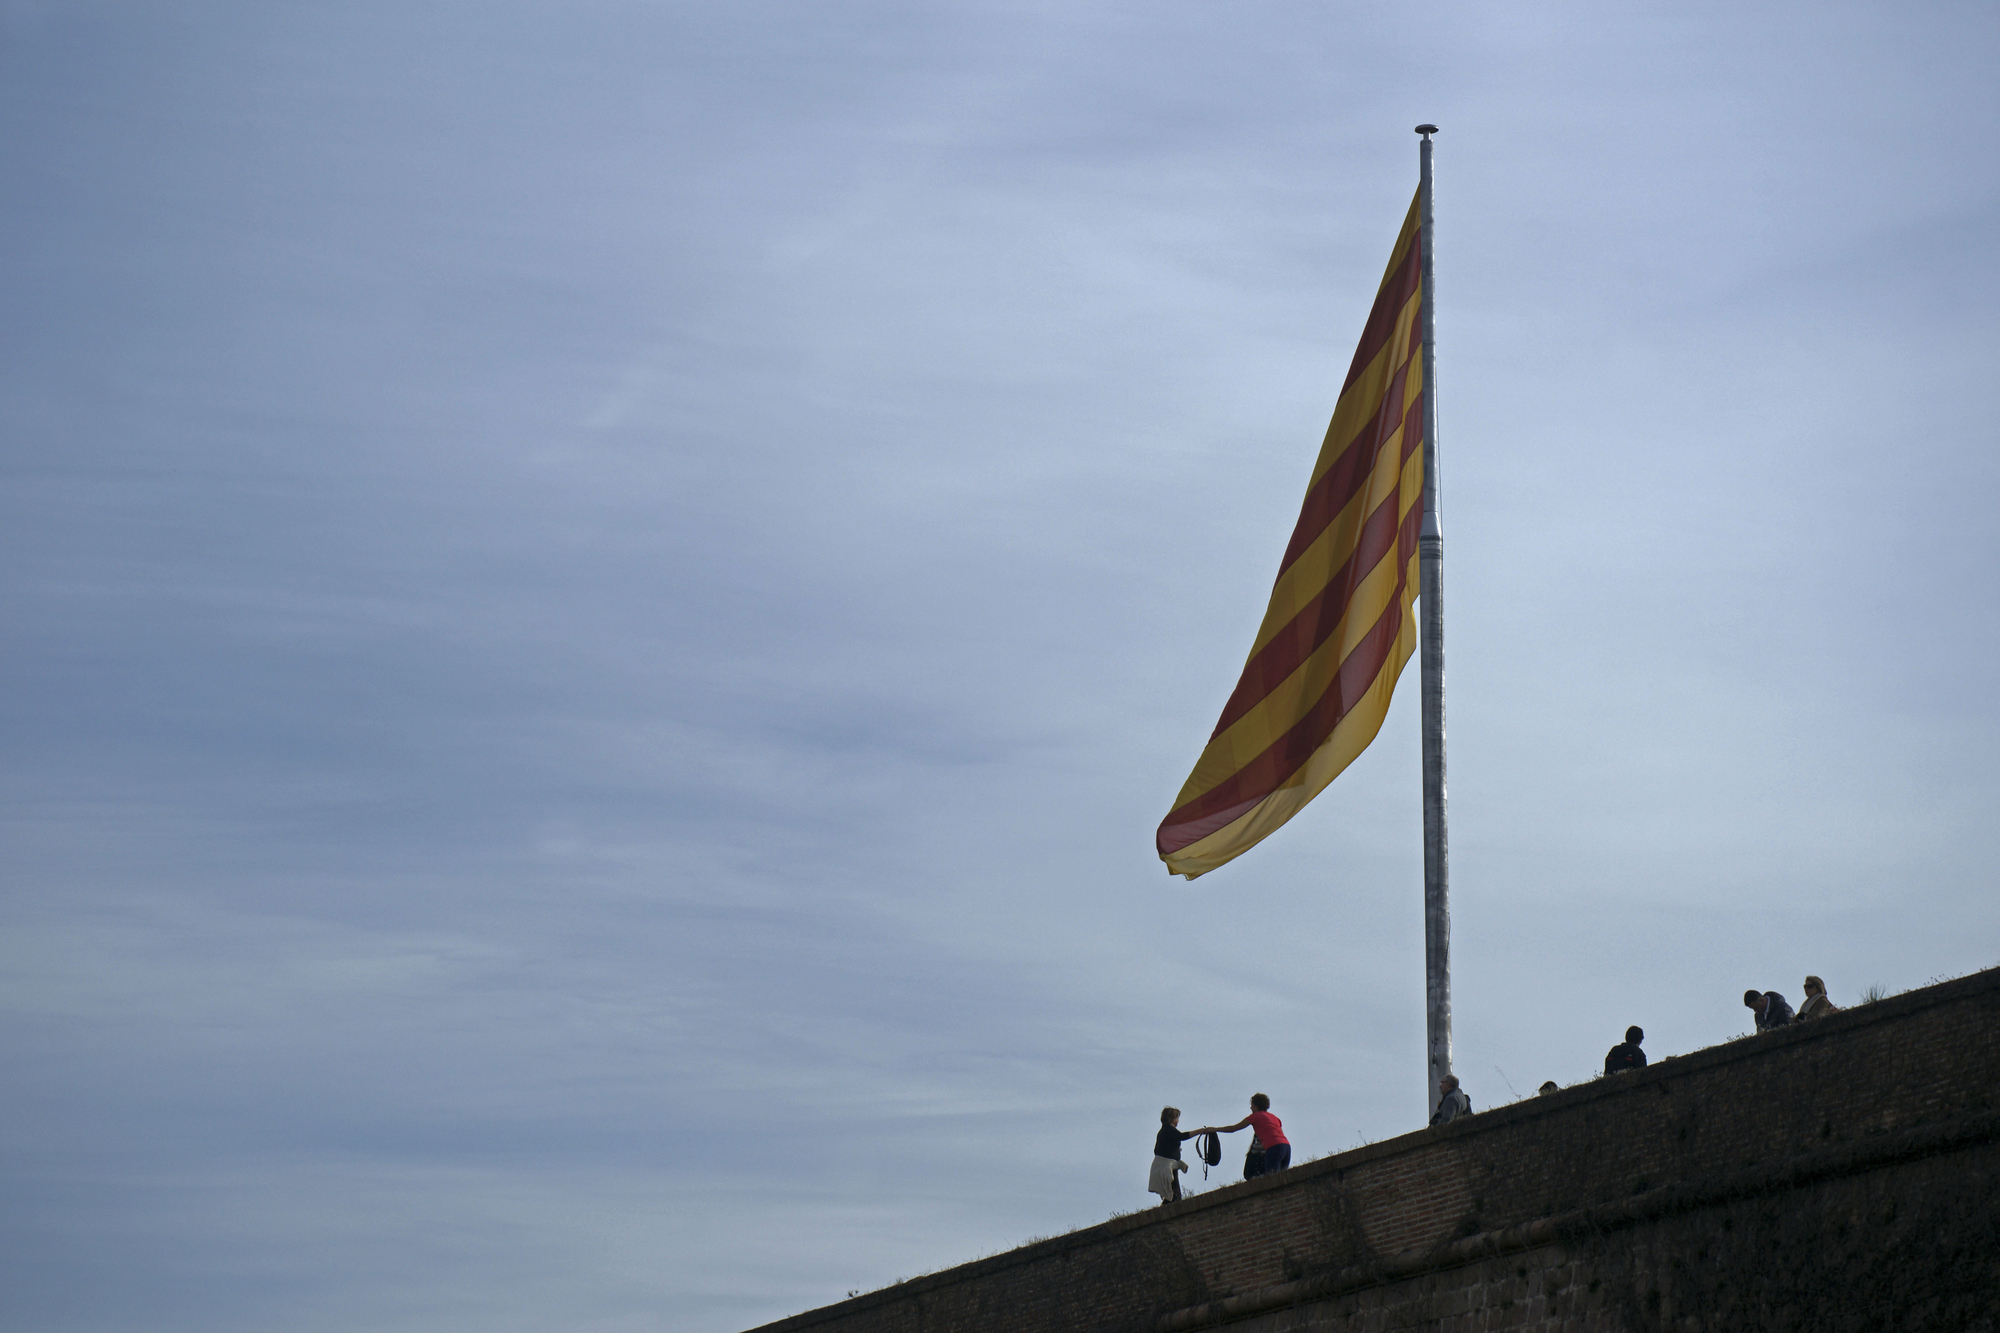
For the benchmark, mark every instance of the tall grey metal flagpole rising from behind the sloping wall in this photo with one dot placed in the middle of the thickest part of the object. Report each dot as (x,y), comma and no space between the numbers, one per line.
(1431,651)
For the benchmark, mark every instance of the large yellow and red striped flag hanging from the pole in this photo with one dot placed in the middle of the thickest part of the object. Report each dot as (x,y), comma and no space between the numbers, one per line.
(1341,621)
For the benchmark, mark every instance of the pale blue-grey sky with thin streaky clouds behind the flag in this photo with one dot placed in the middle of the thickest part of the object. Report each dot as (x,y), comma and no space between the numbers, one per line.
(603,601)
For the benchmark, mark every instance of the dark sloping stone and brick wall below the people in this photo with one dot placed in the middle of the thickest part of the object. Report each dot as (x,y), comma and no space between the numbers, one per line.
(1829,1176)
